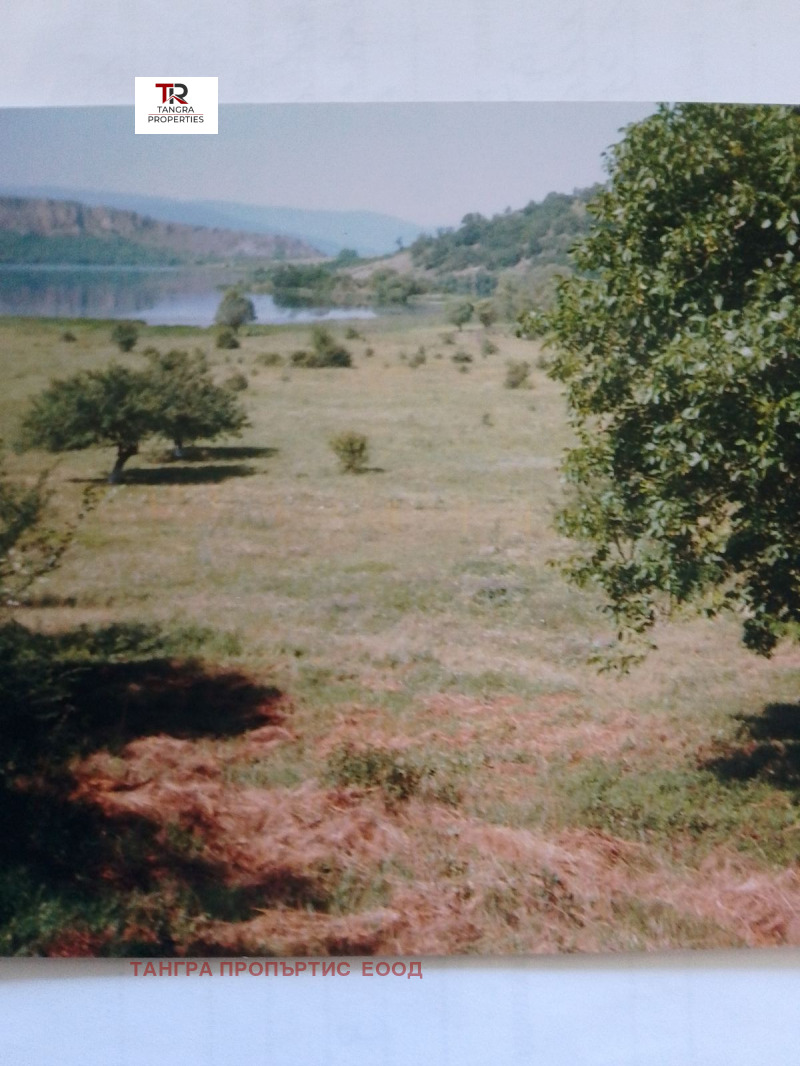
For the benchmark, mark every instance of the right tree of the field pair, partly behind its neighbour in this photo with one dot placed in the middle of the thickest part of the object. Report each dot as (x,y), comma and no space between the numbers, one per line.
(186,402)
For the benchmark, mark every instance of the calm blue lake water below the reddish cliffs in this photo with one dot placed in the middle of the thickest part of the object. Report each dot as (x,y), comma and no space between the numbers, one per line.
(157,297)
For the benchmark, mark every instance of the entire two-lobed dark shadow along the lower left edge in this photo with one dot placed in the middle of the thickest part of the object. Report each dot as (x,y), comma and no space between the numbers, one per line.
(75,880)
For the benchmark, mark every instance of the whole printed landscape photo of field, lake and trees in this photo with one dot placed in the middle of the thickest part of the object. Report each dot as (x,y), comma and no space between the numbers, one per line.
(398,530)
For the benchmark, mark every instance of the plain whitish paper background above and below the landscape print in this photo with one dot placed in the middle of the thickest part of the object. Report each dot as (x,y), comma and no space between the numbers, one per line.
(707,1009)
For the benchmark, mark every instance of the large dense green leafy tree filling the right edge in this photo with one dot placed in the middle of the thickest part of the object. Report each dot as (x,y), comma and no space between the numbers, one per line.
(678,344)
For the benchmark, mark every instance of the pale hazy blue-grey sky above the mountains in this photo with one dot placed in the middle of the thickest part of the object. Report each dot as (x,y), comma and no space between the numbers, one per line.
(429,164)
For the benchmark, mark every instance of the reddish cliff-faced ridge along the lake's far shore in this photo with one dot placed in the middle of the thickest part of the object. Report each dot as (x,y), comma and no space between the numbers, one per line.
(50,231)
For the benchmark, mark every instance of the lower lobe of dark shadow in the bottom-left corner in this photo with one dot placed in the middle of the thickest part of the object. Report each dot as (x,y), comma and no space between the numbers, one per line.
(76,882)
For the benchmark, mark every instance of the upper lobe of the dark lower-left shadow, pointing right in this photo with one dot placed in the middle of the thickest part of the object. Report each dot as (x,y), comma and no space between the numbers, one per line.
(73,693)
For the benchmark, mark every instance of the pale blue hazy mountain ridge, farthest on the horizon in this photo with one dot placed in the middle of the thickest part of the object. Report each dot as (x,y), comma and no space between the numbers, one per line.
(369,233)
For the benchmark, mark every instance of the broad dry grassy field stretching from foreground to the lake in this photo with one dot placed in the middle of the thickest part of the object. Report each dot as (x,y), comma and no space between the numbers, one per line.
(339,714)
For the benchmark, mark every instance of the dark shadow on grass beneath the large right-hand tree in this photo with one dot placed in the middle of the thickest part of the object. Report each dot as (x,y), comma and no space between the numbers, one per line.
(767,749)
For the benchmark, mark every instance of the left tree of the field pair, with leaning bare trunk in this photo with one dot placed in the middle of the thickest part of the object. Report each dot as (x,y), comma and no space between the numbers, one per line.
(111,407)
